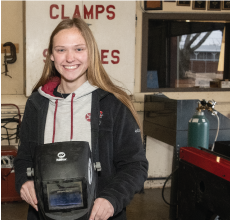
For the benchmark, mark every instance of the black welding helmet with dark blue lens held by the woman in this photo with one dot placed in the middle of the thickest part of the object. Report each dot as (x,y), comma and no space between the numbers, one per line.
(65,180)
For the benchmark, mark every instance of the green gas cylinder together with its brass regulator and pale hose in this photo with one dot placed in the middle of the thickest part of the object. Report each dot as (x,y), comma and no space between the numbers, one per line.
(198,126)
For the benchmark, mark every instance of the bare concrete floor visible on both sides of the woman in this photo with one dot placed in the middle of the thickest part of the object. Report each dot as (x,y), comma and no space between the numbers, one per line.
(146,206)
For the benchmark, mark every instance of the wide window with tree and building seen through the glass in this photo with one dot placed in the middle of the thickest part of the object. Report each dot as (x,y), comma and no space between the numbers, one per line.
(185,55)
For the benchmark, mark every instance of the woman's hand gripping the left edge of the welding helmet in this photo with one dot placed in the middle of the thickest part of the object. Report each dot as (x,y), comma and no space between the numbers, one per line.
(27,193)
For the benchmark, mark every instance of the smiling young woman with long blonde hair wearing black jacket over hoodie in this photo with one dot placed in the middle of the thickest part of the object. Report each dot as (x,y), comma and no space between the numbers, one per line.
(73,91)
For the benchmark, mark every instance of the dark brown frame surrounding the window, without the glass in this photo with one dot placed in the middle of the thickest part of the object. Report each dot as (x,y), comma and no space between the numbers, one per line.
(182,16)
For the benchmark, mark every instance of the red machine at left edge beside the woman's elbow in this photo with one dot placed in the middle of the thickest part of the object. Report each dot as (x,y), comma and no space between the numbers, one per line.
(8,191)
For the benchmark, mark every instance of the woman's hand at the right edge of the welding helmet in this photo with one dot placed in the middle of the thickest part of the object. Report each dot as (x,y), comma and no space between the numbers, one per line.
(102,210)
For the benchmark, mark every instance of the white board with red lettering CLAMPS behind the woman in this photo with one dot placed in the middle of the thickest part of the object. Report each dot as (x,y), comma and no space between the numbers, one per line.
(111,21)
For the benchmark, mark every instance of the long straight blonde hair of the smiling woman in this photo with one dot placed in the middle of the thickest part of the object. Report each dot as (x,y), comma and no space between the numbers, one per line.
(95,73)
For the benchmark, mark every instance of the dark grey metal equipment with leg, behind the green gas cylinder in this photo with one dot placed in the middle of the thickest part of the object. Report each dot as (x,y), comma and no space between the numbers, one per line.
(167,119)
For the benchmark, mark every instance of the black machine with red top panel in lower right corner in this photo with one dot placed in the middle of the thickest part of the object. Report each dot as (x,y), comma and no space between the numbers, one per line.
(204,186)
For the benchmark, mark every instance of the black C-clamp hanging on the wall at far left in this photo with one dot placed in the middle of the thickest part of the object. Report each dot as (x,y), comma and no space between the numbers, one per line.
(9,59)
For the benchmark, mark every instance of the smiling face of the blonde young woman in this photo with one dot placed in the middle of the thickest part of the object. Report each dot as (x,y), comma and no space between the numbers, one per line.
(70,55)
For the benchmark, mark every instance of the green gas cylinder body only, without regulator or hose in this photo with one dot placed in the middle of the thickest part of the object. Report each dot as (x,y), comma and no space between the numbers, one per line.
(198,131)
